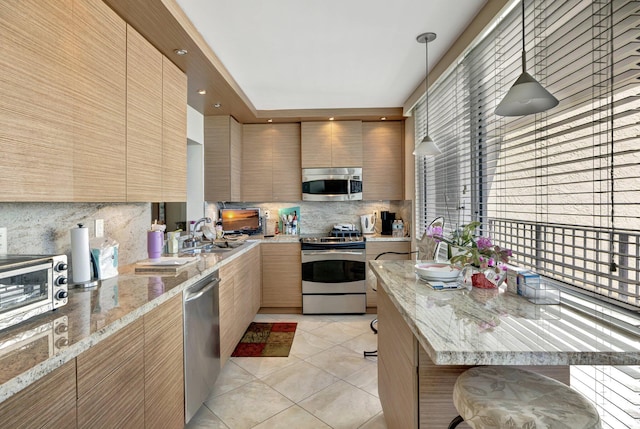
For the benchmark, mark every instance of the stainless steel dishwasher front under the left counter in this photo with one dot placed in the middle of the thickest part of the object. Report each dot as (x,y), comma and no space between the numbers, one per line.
(201,342)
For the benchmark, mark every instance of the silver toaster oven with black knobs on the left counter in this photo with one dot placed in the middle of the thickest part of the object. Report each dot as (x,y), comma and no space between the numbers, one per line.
(31,285)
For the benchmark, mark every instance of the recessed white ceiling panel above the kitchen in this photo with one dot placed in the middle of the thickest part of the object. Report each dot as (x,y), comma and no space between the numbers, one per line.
(302,54)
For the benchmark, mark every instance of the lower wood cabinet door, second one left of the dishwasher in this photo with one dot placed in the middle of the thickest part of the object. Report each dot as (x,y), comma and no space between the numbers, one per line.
(110,380)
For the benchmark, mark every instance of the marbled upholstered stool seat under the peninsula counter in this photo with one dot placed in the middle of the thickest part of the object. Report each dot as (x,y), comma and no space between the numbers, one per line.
(505,397)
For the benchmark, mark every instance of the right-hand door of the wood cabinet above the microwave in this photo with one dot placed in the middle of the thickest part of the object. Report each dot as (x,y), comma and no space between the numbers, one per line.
(346,144)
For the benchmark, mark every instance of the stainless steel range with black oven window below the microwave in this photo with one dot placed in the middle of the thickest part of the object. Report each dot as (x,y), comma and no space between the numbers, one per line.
(333,273)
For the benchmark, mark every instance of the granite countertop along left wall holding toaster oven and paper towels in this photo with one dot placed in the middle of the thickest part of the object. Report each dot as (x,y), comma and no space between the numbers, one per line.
(31,350)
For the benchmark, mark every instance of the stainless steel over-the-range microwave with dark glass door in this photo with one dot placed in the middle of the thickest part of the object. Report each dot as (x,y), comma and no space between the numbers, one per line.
(331,184)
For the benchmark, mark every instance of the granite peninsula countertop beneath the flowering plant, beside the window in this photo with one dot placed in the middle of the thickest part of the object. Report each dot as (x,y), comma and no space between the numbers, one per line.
(492,327)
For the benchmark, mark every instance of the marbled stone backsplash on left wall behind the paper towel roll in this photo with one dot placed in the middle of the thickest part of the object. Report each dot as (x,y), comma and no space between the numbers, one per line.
(43,228)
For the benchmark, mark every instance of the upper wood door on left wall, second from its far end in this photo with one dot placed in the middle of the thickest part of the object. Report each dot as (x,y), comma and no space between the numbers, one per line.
(144,119)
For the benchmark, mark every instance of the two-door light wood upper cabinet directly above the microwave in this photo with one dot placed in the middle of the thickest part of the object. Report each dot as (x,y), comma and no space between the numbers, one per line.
(331,144)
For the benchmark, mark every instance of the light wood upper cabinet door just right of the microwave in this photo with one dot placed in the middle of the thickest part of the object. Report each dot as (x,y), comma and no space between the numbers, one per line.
(383,171)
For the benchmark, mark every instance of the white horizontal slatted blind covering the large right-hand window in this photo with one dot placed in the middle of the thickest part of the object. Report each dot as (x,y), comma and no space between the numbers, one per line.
(560,188)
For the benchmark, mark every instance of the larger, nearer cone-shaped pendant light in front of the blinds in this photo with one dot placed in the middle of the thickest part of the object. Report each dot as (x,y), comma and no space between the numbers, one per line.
(526,96)
